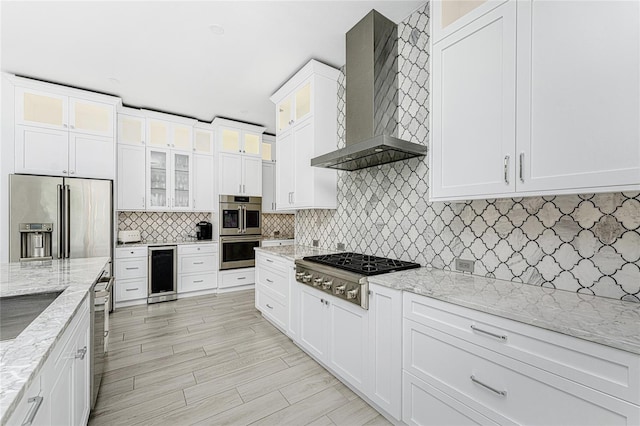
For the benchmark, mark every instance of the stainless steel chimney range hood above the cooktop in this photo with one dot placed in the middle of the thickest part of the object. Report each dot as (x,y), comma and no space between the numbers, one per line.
(371,100)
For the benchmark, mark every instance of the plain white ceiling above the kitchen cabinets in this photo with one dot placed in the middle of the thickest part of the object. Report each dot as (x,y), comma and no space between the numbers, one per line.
(164,56)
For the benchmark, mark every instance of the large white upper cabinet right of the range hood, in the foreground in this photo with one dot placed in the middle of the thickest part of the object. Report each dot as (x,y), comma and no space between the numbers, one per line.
(528,100)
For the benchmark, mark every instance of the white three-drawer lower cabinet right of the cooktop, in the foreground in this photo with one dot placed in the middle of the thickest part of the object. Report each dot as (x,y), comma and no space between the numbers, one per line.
(497,372)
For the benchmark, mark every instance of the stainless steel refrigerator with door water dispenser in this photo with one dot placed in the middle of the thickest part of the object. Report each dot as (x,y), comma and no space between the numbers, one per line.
(79,210)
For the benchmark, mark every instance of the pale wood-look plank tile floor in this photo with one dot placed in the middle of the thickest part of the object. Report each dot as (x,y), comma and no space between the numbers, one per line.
(214,360)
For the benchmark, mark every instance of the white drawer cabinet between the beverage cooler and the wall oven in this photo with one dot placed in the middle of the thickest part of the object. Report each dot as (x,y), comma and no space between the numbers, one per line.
(197,268)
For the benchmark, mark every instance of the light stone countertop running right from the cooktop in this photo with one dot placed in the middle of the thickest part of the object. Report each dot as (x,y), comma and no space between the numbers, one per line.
(597,319)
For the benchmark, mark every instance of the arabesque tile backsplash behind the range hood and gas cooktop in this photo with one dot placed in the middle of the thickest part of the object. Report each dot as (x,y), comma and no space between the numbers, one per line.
(586,243)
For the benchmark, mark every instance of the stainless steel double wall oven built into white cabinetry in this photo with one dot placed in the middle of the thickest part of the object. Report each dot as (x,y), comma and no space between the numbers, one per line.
(240,230)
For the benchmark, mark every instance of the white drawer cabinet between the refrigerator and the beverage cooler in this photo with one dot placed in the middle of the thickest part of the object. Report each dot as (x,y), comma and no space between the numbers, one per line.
(131,276)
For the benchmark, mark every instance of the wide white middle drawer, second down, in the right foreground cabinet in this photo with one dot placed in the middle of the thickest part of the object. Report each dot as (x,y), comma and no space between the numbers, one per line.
(503,389)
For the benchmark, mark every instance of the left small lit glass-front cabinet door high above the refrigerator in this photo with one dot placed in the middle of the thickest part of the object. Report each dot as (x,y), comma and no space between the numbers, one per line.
(41,109)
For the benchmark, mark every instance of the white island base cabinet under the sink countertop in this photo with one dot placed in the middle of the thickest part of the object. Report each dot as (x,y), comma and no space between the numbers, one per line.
(60,393)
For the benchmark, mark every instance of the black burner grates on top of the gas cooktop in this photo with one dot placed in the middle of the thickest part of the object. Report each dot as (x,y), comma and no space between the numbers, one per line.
(362,263)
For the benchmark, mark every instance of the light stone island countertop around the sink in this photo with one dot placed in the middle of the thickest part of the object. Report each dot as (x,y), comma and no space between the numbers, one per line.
(22,358)
